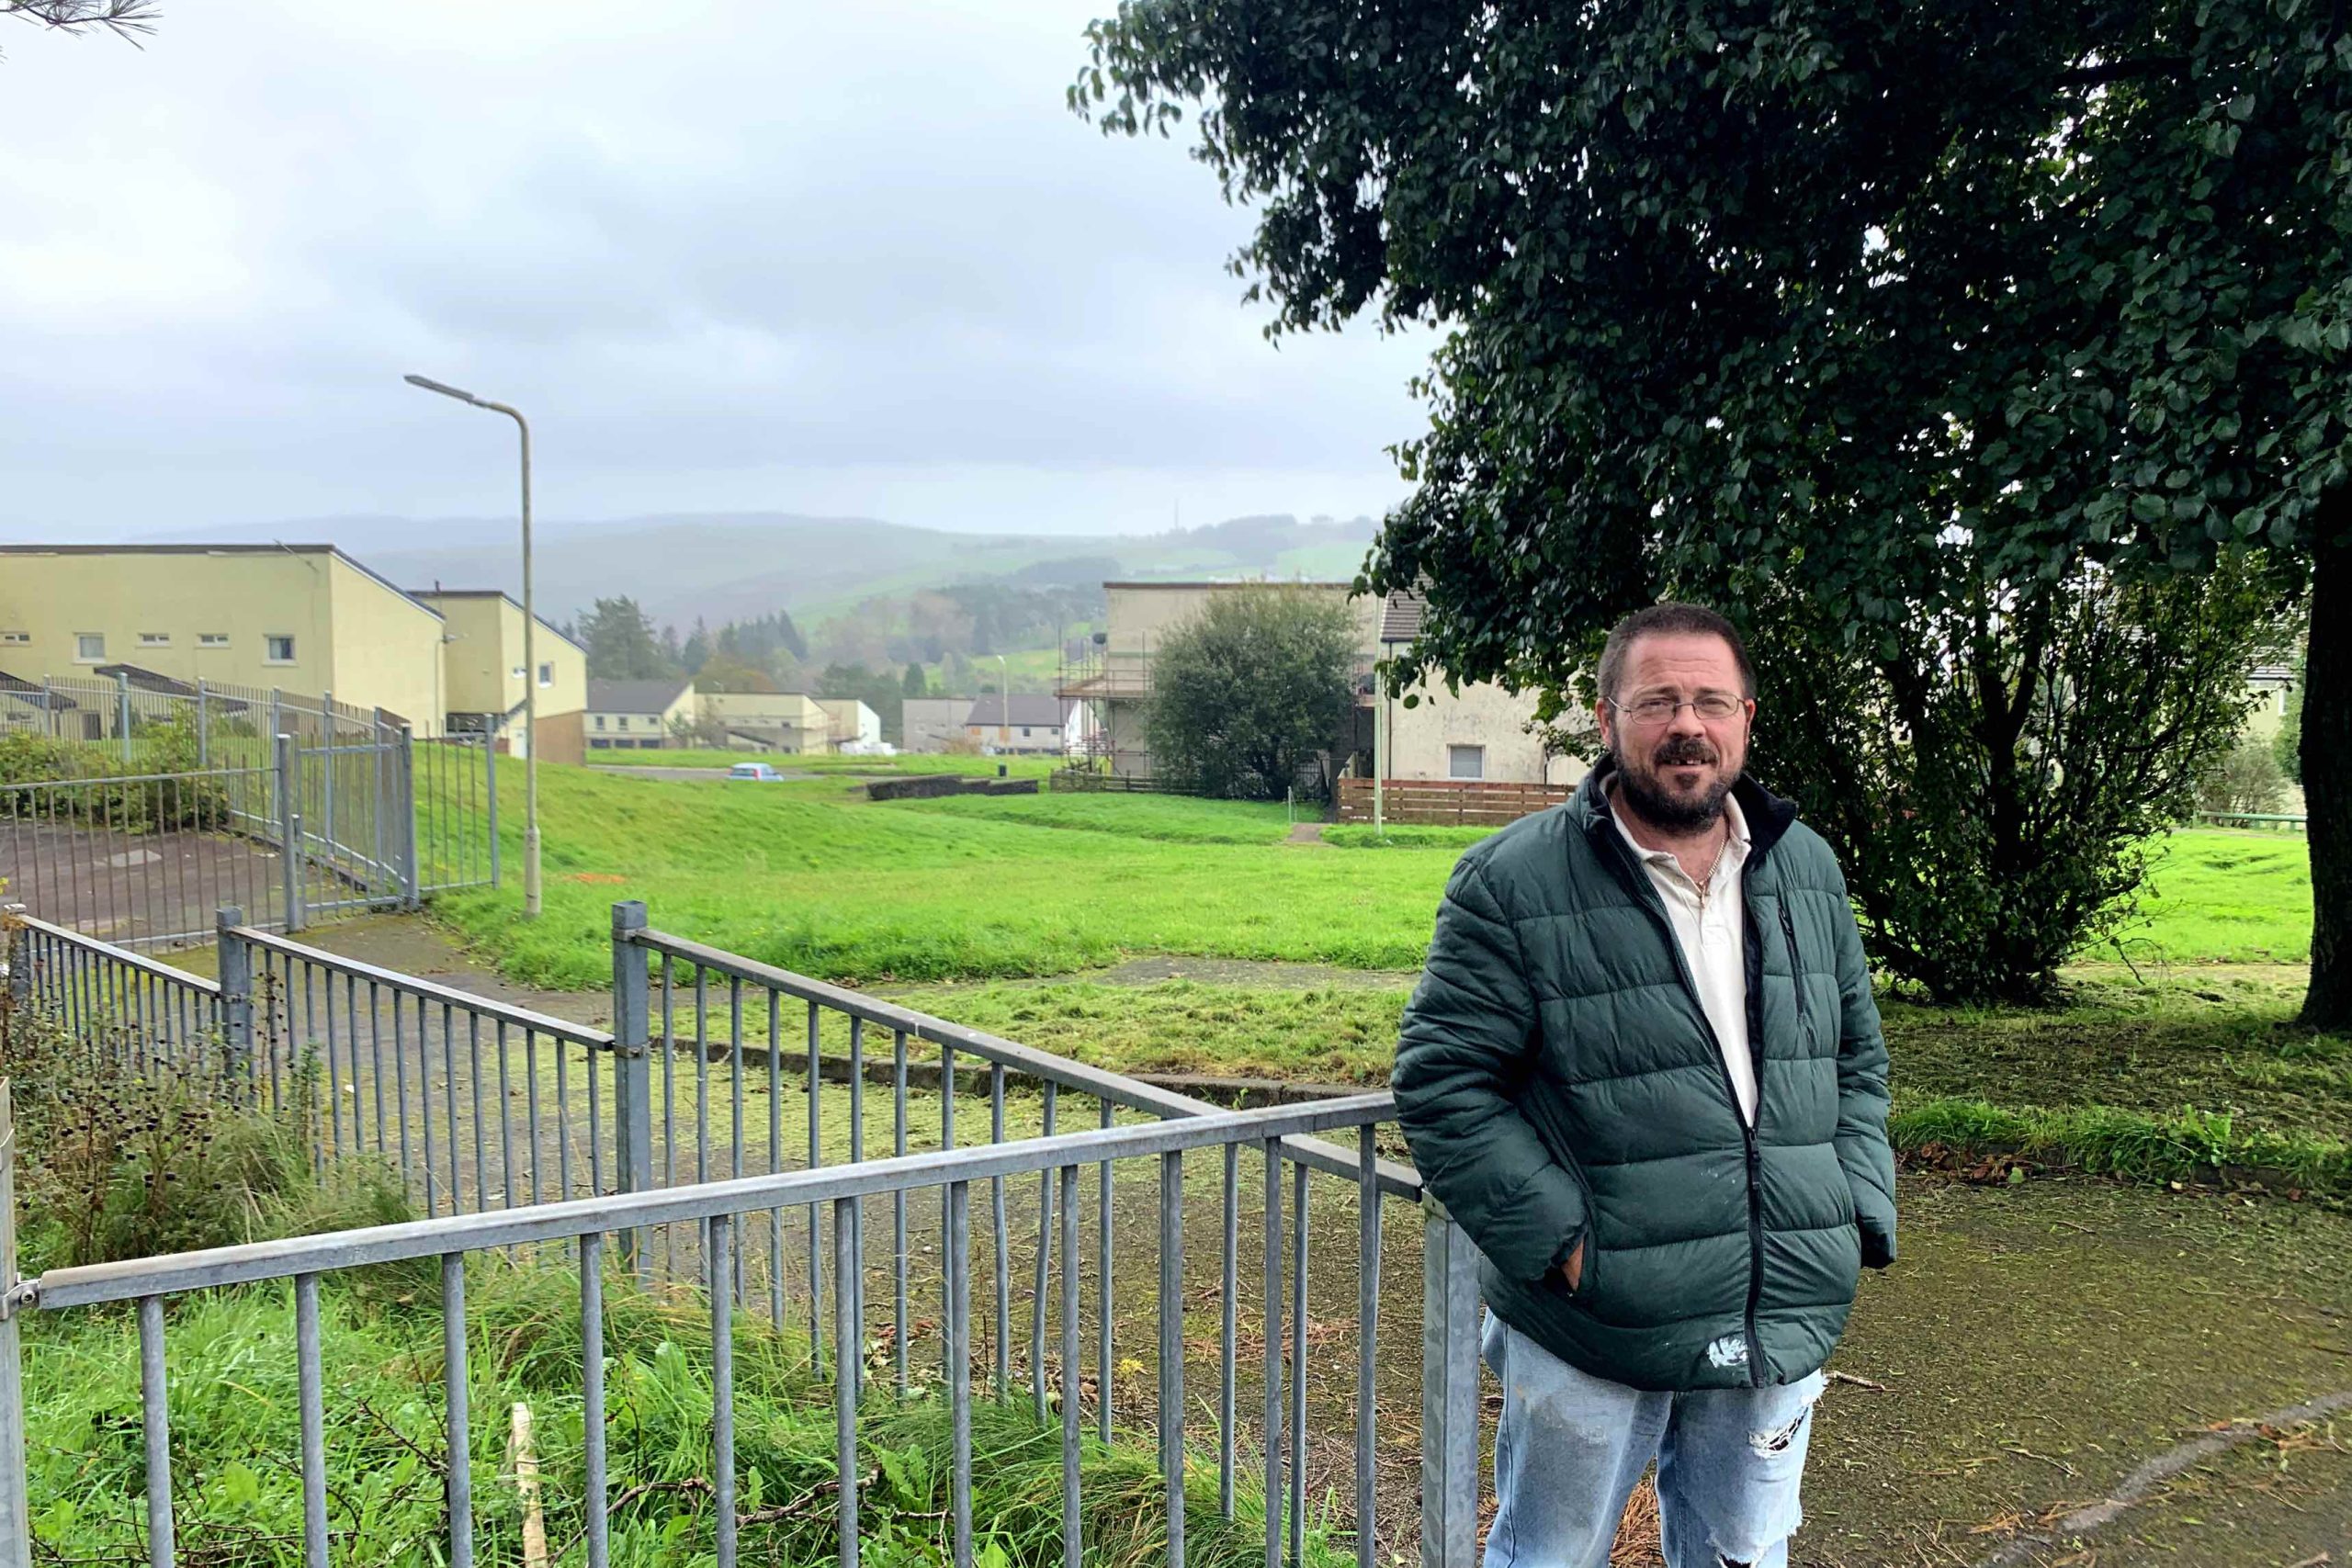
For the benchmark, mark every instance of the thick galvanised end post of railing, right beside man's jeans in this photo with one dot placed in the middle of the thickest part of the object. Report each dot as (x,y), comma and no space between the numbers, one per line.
(1450,1395)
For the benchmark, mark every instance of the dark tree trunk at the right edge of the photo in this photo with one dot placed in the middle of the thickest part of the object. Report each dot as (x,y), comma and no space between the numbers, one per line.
(2327,768)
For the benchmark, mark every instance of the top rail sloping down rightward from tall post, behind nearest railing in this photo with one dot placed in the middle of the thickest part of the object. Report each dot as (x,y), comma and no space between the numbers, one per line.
(1135,1094)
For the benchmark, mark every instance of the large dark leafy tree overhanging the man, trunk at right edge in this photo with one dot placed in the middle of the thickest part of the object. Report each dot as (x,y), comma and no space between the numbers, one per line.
(1871,311)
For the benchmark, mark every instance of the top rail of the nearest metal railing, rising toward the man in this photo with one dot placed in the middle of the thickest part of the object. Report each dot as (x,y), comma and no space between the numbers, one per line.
(566,1221)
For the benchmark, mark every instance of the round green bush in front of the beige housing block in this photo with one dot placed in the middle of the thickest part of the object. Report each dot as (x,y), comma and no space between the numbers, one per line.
(1252,695)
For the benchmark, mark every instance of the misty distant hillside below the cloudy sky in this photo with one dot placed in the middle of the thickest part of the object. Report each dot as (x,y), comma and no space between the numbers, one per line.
(742,565)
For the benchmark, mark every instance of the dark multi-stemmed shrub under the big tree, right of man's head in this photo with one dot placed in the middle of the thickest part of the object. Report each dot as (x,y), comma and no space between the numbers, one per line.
(1991,784)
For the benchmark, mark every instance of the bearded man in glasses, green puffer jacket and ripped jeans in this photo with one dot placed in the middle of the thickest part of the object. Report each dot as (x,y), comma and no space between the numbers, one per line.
(1643,1071)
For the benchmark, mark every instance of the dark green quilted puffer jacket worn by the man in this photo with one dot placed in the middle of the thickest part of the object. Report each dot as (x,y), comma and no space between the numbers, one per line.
(1558,1083)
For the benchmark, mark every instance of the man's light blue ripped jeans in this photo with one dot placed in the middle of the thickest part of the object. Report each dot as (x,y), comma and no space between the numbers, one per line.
(1572,1447)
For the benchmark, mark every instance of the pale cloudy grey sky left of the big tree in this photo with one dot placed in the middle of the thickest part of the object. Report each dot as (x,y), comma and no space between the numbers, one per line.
(730,255)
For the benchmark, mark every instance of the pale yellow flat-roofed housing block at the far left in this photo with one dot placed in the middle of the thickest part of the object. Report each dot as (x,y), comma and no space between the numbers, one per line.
(255,619)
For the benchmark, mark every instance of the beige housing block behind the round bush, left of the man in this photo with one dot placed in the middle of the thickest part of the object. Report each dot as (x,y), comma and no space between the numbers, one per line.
(1478,735)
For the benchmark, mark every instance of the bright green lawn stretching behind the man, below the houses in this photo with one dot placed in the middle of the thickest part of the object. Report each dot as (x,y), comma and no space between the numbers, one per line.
(817,878)
